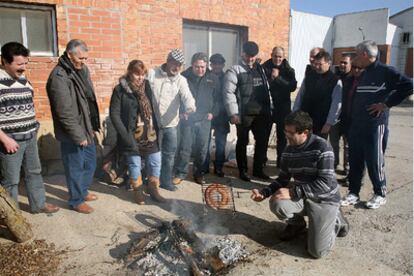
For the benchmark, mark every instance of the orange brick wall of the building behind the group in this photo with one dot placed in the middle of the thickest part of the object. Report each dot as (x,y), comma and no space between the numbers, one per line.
(119,31)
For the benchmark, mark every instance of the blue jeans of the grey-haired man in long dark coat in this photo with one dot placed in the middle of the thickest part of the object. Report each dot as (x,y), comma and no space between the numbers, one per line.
(79,163)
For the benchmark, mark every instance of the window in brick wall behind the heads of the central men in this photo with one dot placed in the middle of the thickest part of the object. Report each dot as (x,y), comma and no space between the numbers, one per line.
(211,39)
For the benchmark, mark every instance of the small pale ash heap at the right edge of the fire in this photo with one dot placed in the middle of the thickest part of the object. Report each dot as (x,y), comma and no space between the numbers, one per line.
(229,251)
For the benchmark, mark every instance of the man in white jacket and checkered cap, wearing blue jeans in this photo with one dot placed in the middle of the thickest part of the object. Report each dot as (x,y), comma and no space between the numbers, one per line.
(170,91)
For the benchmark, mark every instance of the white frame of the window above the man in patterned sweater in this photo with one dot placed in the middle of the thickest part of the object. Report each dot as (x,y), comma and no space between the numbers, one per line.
(23,27)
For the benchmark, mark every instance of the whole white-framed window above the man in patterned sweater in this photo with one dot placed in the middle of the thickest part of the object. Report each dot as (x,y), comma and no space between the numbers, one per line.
(33,26)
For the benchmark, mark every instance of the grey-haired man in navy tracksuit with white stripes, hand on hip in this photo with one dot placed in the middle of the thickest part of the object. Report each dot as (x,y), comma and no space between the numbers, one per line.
(380,88)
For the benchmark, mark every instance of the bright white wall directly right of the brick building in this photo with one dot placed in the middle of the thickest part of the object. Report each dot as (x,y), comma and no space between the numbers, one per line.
(306,32)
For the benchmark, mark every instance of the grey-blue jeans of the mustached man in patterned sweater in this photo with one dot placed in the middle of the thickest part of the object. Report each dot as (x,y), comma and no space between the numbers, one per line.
(10,165)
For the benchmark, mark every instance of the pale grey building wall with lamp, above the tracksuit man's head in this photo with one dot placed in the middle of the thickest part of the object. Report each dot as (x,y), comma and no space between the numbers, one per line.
(373,22)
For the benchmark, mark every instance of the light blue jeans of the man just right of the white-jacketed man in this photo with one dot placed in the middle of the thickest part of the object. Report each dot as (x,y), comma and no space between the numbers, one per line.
(193,137)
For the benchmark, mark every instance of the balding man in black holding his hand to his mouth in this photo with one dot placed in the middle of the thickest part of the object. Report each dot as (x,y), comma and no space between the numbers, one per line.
(282,82)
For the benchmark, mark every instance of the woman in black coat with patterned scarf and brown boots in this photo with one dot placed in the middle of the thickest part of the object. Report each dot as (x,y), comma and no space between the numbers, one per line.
(132,115)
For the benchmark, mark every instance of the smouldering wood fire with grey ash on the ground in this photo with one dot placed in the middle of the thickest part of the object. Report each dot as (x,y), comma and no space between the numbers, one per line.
(175,249)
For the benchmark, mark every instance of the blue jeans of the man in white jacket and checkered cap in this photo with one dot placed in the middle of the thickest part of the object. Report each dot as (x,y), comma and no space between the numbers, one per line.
(168,145)
